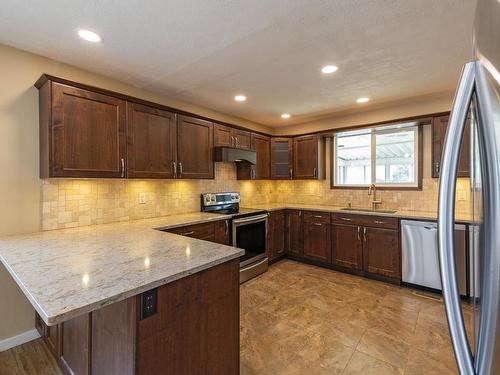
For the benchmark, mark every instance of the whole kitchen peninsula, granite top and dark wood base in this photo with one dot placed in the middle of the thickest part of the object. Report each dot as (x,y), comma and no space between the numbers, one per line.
(126,298)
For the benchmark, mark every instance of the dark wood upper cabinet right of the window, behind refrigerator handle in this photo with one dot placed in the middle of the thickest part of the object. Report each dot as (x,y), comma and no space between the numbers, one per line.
(439,127)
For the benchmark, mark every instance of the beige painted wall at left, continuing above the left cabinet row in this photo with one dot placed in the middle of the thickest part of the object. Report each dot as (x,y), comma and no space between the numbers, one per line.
(20,186)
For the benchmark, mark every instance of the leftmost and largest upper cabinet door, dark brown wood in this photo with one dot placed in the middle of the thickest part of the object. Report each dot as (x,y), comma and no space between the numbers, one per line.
(88,134)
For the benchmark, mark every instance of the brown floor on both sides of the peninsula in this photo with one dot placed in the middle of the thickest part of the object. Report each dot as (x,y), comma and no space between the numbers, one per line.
(302,319)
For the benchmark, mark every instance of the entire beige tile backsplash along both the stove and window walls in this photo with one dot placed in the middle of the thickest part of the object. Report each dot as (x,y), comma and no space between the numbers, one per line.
(70,203)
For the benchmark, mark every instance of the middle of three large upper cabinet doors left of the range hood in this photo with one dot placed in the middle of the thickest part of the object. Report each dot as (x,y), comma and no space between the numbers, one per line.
(152,142)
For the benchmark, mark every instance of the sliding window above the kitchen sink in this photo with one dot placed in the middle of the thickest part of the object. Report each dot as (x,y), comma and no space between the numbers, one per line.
(386,156)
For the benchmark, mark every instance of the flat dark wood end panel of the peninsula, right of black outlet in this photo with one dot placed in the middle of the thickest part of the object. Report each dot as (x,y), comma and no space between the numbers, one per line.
(196,327)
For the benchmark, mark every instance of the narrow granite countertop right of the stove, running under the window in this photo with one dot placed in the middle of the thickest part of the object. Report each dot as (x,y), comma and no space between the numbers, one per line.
(402,214)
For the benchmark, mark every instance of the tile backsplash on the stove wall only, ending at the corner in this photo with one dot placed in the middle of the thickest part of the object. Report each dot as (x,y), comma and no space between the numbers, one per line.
(70,203)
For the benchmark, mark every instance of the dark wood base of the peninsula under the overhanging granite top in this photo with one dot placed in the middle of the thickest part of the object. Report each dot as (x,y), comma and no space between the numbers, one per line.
(195,330)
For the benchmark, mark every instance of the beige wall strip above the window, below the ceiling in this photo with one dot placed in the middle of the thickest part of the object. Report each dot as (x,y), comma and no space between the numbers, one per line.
(440,102)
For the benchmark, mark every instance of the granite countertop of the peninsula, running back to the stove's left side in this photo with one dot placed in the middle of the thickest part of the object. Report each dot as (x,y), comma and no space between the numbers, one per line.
(66,273)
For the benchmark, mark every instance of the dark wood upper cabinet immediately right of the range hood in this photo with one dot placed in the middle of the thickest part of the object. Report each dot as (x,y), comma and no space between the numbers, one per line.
(262,169)
